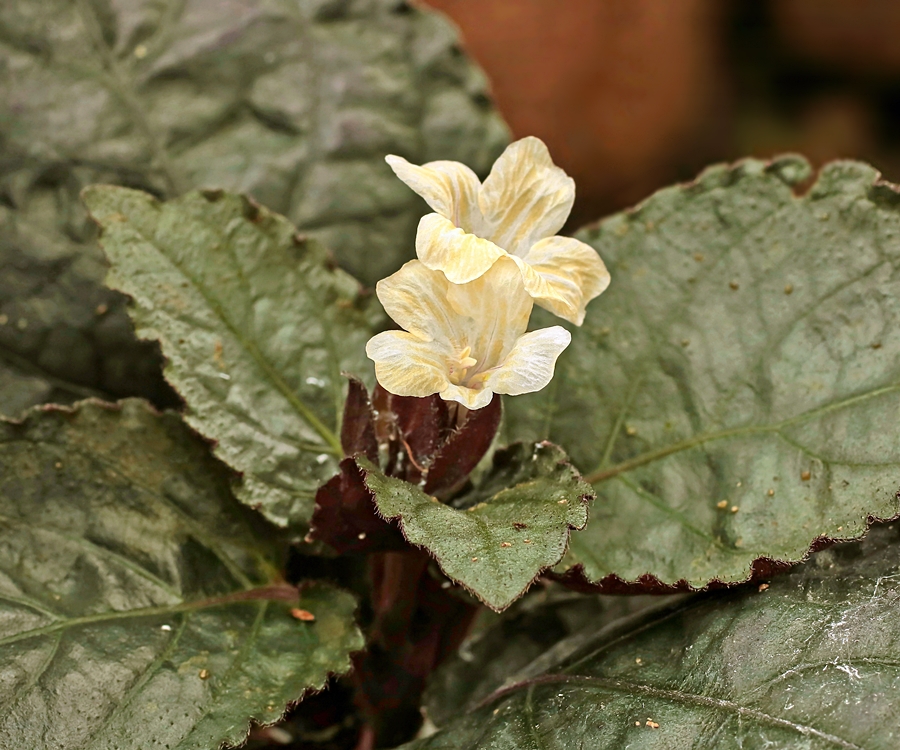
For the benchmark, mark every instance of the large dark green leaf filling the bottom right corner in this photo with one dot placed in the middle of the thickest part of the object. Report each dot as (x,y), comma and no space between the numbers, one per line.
(811,662)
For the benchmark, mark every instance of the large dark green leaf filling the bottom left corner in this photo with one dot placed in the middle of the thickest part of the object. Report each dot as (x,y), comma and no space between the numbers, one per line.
(138,607)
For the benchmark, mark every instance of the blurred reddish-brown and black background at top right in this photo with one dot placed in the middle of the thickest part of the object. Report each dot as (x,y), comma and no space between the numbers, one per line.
(631,95)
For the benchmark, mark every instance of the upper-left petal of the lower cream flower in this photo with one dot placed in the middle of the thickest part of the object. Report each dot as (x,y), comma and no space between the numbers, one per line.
(416,299)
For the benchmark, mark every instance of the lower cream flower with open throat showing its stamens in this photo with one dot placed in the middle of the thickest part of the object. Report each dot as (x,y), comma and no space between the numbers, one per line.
(463,341)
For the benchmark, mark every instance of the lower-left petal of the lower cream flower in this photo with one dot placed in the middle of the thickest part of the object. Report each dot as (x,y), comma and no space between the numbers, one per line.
(407,366)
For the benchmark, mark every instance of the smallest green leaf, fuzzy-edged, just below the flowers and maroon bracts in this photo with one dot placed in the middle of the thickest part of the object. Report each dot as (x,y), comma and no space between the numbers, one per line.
(515,523)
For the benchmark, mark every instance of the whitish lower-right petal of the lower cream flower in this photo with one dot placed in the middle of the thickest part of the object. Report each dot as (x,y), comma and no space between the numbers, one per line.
(530,364)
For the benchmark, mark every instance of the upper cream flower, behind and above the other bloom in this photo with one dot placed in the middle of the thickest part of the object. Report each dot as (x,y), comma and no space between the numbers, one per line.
(516,213)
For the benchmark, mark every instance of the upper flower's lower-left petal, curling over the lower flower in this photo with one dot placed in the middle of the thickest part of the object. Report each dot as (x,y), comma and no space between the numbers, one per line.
(462,257)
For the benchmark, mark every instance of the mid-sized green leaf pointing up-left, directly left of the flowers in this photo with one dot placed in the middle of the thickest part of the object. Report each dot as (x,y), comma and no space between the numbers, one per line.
(256,326)
